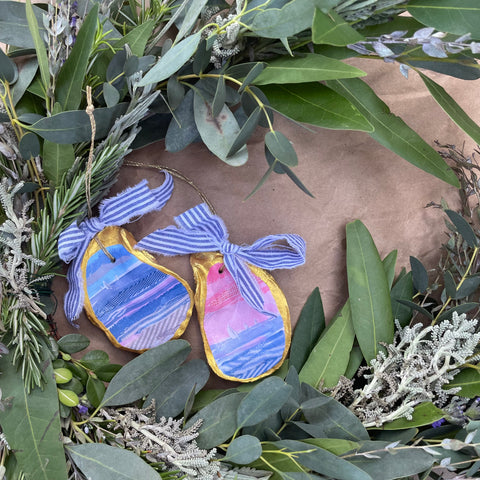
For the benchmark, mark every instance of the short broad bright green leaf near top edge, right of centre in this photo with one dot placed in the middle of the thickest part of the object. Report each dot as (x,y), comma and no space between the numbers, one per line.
(332,29)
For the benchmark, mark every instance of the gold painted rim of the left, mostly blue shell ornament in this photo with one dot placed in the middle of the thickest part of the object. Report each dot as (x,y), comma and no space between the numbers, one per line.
(117,235)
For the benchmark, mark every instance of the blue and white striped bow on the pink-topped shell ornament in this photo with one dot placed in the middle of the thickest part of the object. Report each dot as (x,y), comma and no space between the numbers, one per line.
(200,231)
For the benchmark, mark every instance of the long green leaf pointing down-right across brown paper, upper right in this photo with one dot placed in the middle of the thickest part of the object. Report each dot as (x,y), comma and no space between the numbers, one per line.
(392,132)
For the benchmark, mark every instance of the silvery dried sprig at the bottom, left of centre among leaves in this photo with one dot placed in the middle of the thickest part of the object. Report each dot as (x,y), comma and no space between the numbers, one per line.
(165,441)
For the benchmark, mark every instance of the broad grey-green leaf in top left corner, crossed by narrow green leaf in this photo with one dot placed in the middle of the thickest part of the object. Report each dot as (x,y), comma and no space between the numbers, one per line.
(14,27)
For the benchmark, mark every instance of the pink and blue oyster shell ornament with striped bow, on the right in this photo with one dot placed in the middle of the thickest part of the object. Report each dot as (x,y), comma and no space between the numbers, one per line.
(243,314)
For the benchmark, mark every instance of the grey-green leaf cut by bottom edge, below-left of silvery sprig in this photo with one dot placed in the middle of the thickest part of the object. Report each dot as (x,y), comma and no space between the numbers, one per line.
(99,461)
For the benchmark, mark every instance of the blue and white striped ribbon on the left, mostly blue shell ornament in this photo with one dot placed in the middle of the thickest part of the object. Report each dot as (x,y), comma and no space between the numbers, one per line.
(115,211)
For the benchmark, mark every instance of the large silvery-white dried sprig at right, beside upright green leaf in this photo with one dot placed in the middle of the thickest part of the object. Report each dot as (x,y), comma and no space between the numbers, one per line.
(416,366)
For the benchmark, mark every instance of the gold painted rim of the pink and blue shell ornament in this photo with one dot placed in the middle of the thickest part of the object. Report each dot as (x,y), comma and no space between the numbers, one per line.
(201,264)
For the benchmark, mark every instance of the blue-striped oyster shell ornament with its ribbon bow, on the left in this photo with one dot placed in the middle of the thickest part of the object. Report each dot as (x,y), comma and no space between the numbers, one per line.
(136,302)
